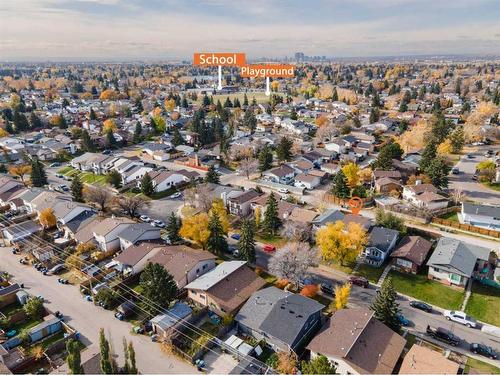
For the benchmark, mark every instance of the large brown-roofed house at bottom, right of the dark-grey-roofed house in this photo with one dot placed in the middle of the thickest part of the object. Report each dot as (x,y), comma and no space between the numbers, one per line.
(357,343)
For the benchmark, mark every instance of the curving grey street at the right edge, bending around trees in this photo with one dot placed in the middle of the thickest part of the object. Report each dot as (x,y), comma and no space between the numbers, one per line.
(463,181)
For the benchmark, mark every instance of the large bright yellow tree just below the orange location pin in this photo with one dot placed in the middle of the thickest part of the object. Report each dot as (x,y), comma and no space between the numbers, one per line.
(340,243)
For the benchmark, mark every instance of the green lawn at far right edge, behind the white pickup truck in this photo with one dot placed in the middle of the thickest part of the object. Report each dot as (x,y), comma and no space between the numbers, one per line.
(484,304)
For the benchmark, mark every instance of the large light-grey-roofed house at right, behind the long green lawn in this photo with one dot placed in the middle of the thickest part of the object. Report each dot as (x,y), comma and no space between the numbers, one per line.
(454,262)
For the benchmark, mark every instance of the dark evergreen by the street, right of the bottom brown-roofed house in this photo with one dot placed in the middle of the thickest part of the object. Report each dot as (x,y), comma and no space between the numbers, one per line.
(385,306)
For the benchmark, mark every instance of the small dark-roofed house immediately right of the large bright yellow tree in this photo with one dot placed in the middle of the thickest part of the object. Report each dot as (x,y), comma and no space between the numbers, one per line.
(381,242)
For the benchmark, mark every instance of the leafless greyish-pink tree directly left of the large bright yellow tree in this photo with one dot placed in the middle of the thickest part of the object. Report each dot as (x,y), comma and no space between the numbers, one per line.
(292,261)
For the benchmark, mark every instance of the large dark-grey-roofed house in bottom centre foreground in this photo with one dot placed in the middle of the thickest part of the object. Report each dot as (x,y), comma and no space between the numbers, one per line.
(286,321)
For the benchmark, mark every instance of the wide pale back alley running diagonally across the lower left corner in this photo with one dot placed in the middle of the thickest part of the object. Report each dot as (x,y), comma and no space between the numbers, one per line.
(87,318)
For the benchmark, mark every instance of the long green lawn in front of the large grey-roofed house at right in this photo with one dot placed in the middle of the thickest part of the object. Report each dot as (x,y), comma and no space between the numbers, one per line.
(419,287)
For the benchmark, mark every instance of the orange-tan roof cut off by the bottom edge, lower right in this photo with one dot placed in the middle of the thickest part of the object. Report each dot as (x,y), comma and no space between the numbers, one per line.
(423,360)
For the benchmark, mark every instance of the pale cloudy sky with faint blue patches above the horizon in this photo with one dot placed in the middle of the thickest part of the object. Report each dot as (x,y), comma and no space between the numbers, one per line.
(174,29)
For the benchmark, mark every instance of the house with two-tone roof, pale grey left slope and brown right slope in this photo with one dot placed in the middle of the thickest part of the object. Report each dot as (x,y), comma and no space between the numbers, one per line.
(225,288)
